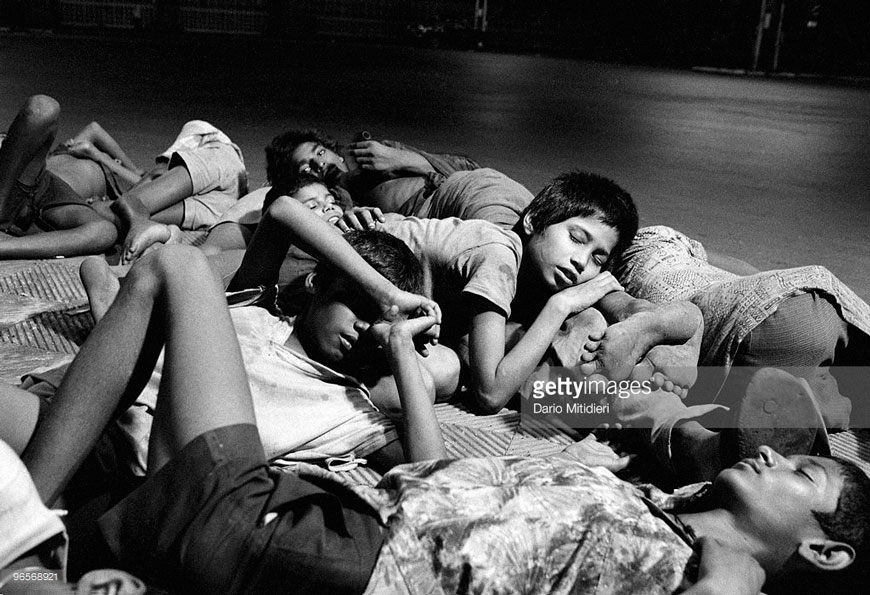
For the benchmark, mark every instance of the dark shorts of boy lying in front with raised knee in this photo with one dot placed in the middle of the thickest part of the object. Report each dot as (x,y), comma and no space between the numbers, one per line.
(216,519)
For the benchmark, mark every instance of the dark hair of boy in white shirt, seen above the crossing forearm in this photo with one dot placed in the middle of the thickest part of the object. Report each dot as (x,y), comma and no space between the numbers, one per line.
(388,255)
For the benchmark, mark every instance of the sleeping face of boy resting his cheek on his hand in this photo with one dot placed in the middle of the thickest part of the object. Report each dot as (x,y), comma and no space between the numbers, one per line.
(570,252)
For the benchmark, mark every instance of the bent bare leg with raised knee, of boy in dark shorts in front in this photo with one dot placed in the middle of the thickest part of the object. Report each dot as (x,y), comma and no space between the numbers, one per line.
(171,297)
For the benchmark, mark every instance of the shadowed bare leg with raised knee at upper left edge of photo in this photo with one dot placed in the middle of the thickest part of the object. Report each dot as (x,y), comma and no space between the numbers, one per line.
(22,156)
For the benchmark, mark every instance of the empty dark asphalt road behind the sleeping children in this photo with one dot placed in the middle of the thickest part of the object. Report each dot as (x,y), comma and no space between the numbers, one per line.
(776,172)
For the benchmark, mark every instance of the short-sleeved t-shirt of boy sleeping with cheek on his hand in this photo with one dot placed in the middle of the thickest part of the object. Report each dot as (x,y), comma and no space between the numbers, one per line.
(462,258)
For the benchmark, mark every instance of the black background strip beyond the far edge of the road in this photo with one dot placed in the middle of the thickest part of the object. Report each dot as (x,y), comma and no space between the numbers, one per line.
(815,36)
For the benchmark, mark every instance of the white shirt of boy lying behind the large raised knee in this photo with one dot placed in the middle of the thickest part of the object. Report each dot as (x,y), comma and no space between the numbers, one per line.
(305,411)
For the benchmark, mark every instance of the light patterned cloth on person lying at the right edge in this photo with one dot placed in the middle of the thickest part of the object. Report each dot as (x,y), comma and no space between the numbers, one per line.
(663,265)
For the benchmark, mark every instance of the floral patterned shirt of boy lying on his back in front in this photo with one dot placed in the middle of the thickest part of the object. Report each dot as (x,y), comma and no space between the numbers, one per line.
(516,525)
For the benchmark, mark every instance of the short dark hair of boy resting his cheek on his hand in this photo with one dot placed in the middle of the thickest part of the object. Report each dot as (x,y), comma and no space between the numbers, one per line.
(583,194)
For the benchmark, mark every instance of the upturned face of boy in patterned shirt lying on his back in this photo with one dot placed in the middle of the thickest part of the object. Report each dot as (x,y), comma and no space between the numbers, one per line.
(775,496)
